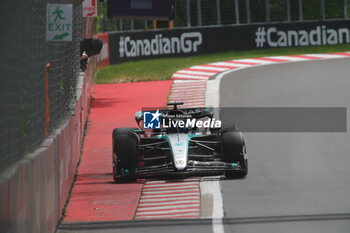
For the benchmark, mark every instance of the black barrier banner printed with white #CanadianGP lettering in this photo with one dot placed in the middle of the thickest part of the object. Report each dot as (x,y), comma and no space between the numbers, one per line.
(140,45)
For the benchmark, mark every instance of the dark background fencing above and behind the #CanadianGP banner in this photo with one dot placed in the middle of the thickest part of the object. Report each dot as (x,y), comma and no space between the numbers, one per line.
(195,13)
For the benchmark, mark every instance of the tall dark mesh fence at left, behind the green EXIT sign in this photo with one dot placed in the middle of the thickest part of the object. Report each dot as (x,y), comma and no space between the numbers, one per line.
(23,58)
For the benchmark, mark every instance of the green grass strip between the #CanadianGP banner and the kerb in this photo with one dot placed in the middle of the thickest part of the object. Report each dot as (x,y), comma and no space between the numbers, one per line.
(162,69)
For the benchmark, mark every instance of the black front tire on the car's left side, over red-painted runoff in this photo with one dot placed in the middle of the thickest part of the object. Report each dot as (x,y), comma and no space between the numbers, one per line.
(125,153)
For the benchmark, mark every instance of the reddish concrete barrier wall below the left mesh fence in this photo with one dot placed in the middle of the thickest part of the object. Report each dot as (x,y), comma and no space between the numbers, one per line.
(33,192)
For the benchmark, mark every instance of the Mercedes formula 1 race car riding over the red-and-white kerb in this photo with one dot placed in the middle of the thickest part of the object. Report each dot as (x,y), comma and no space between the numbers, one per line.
(178,142)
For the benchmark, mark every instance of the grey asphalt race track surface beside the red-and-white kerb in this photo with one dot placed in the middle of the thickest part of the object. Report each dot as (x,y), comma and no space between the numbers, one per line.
(297,182)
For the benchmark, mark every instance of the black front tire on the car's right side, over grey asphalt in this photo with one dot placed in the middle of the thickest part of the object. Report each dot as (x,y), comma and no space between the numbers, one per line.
(233,151)
